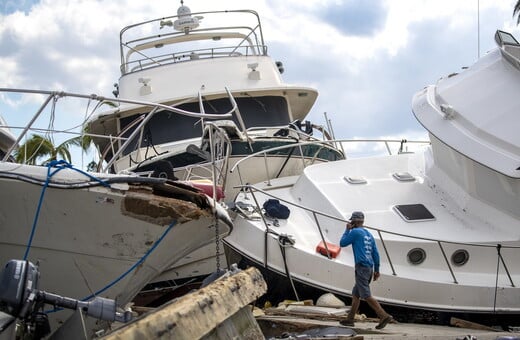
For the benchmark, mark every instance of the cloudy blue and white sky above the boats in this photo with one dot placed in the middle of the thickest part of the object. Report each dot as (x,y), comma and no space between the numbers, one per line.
(367,58)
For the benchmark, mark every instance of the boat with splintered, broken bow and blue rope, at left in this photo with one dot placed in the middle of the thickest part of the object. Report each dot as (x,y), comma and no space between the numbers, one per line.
(95,234)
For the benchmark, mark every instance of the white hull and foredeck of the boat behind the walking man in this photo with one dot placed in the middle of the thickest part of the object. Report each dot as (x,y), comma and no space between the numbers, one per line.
(473,287)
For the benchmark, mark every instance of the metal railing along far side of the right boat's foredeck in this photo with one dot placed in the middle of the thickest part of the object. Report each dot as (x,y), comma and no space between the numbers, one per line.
(323,144)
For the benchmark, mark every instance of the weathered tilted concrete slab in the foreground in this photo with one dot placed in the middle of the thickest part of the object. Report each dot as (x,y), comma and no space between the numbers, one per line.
(219,310)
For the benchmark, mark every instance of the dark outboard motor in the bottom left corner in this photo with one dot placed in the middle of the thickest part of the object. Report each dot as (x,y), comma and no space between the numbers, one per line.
(21,300)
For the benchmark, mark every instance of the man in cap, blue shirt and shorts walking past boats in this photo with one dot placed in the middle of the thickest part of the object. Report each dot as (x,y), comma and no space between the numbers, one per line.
(366,258)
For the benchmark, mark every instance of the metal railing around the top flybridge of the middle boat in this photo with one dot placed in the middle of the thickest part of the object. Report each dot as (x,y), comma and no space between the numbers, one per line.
(146,38)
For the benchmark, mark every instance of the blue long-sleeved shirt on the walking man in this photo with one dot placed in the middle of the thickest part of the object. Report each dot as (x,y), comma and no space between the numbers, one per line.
(363,245)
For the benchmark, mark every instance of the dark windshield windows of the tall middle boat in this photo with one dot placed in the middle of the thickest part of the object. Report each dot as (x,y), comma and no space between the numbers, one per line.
(167,127)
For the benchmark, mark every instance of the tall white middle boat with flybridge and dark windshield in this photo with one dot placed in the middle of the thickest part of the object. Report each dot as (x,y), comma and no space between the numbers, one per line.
(213,62)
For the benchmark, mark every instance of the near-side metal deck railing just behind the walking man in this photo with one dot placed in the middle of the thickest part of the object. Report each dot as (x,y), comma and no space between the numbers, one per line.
(442,244)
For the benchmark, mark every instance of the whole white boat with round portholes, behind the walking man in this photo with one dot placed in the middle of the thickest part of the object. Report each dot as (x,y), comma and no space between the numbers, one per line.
(446,219)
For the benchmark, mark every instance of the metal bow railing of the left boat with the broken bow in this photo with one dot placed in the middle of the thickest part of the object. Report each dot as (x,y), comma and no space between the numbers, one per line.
(50,105)
